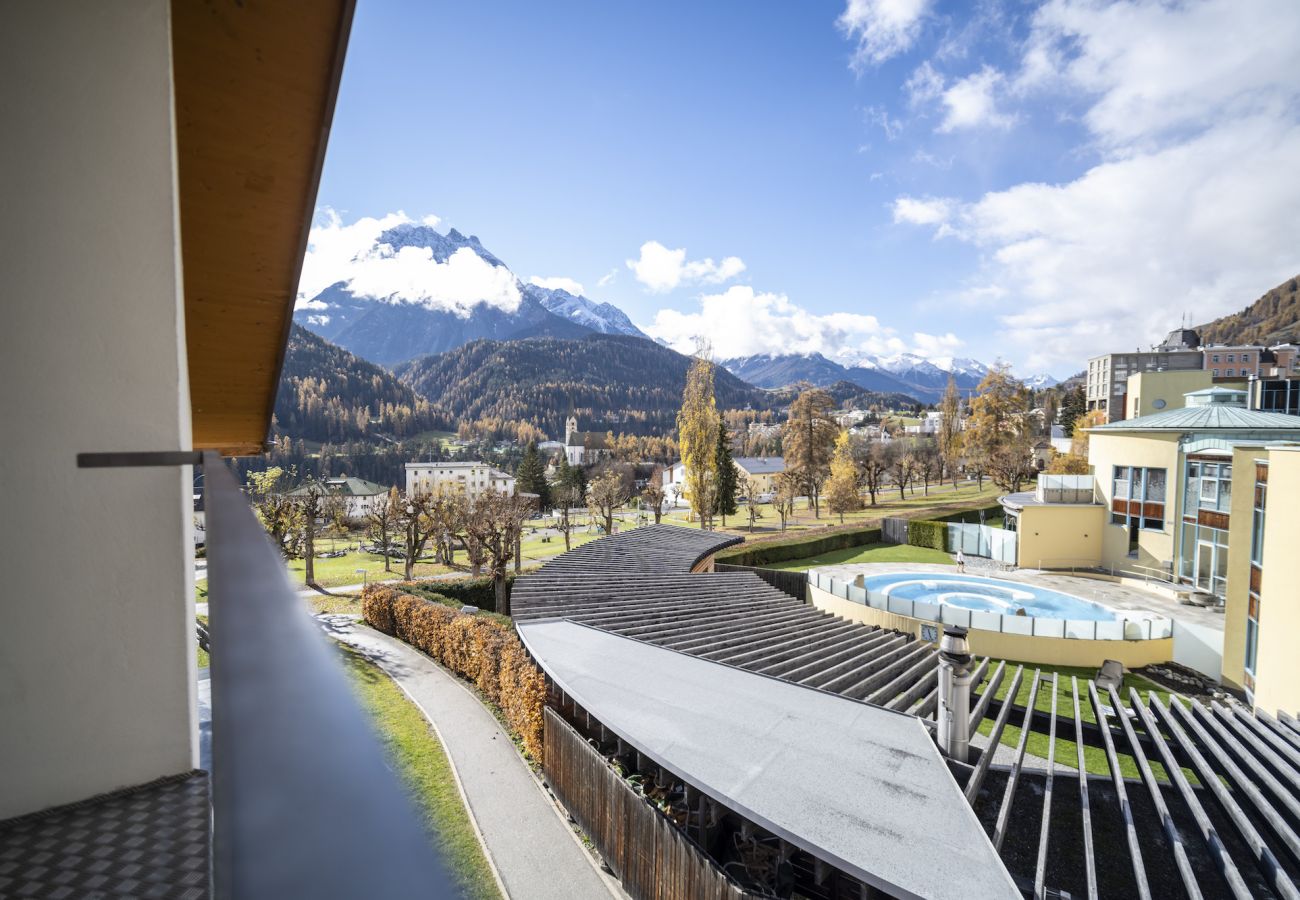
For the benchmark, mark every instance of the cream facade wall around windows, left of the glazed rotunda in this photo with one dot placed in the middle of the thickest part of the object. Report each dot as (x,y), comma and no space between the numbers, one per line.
(1152,451)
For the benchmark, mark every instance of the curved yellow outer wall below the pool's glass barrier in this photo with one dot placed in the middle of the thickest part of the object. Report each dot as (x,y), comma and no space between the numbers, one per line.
(1021,648)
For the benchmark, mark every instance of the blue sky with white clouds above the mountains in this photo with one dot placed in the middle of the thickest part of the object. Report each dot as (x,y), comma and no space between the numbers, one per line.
(1035,183)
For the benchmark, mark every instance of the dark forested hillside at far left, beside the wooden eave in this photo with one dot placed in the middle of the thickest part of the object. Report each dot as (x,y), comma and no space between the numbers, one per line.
(330,395)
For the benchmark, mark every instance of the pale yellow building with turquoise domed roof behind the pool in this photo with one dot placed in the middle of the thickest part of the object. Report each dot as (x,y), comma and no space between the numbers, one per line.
(1206,496)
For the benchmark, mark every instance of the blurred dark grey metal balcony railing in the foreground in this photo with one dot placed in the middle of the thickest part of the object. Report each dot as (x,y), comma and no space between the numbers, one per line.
(305,803)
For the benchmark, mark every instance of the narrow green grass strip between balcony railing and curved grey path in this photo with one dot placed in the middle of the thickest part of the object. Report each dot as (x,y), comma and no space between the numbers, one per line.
(423,767)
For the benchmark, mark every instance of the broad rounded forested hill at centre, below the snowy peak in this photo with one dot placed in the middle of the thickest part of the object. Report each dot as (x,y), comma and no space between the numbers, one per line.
(610,382)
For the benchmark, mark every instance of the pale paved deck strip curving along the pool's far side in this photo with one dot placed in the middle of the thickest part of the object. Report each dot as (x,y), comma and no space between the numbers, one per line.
(1110,594)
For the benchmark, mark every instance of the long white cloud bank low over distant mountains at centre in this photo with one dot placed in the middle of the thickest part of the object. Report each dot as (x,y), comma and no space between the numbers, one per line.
(742,322)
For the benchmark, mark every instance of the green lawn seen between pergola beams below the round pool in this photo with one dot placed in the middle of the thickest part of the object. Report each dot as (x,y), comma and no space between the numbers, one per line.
(1094,758)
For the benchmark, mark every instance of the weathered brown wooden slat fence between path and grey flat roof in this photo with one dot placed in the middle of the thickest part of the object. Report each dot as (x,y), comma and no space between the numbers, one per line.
(651,856)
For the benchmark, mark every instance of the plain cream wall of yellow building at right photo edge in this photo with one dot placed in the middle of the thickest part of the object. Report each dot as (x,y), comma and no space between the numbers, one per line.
(1277,670)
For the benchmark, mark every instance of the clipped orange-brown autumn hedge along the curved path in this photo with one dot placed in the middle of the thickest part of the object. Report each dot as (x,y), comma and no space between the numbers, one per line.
(474,647)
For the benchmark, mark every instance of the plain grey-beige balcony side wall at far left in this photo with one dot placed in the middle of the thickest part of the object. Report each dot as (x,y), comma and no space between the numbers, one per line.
(97,650)
